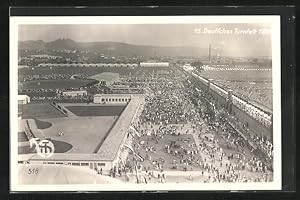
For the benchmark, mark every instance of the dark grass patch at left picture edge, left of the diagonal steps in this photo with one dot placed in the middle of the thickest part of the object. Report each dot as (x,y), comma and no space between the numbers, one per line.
(39,111)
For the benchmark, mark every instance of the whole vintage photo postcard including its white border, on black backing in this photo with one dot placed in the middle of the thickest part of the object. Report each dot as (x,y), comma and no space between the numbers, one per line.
(145,103)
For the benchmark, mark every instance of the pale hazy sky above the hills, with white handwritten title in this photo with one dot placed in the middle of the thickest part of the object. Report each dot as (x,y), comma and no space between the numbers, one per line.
(227,38)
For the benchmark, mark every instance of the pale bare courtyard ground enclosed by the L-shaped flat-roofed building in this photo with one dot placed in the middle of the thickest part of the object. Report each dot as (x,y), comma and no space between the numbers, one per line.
(83,133)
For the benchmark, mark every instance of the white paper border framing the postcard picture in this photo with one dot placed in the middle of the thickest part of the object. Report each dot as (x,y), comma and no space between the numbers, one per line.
(276,81)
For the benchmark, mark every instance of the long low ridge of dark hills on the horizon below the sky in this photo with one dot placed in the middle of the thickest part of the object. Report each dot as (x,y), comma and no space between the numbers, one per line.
(114,48)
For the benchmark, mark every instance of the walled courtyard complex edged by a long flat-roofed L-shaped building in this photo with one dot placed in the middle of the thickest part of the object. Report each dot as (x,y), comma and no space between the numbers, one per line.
(93,134)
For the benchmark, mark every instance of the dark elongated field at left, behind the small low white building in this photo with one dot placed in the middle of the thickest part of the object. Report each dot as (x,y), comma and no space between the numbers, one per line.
(56,84)
